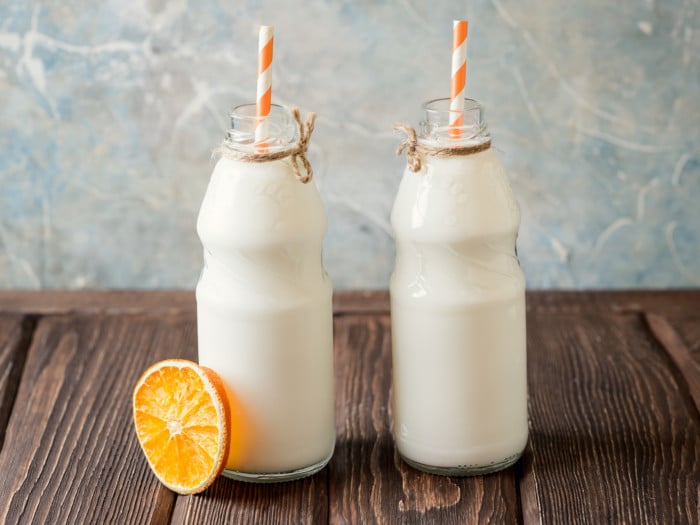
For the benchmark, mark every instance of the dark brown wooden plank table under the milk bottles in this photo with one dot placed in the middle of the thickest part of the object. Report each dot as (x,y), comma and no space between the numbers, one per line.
(614,385)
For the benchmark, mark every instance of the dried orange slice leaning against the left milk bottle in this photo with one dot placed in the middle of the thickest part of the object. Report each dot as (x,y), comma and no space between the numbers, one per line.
(183,421)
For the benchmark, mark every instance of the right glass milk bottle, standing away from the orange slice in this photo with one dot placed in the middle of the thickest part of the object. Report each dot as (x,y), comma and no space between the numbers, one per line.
(457,303)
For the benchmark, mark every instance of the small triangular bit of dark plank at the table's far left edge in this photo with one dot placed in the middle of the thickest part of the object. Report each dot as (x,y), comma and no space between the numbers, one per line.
(15,333)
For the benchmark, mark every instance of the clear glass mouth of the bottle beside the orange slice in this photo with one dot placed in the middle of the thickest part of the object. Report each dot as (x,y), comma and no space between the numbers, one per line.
(249,132)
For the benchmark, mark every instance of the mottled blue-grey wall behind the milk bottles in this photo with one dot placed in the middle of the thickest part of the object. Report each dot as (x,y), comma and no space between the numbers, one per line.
(109,111)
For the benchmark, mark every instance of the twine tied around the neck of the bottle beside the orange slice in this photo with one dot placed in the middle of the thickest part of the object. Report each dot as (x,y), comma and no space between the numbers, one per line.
(297,152)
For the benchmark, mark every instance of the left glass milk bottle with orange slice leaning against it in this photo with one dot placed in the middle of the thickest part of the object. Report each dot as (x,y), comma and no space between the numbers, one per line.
(264,314)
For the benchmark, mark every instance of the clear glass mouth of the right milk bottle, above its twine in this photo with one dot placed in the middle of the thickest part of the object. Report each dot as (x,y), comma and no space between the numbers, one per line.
(436,127)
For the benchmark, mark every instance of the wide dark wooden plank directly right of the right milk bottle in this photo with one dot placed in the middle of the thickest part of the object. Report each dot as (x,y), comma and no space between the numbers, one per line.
(613,440)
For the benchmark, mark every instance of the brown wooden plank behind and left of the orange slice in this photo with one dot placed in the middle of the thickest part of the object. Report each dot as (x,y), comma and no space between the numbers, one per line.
(70,454)
